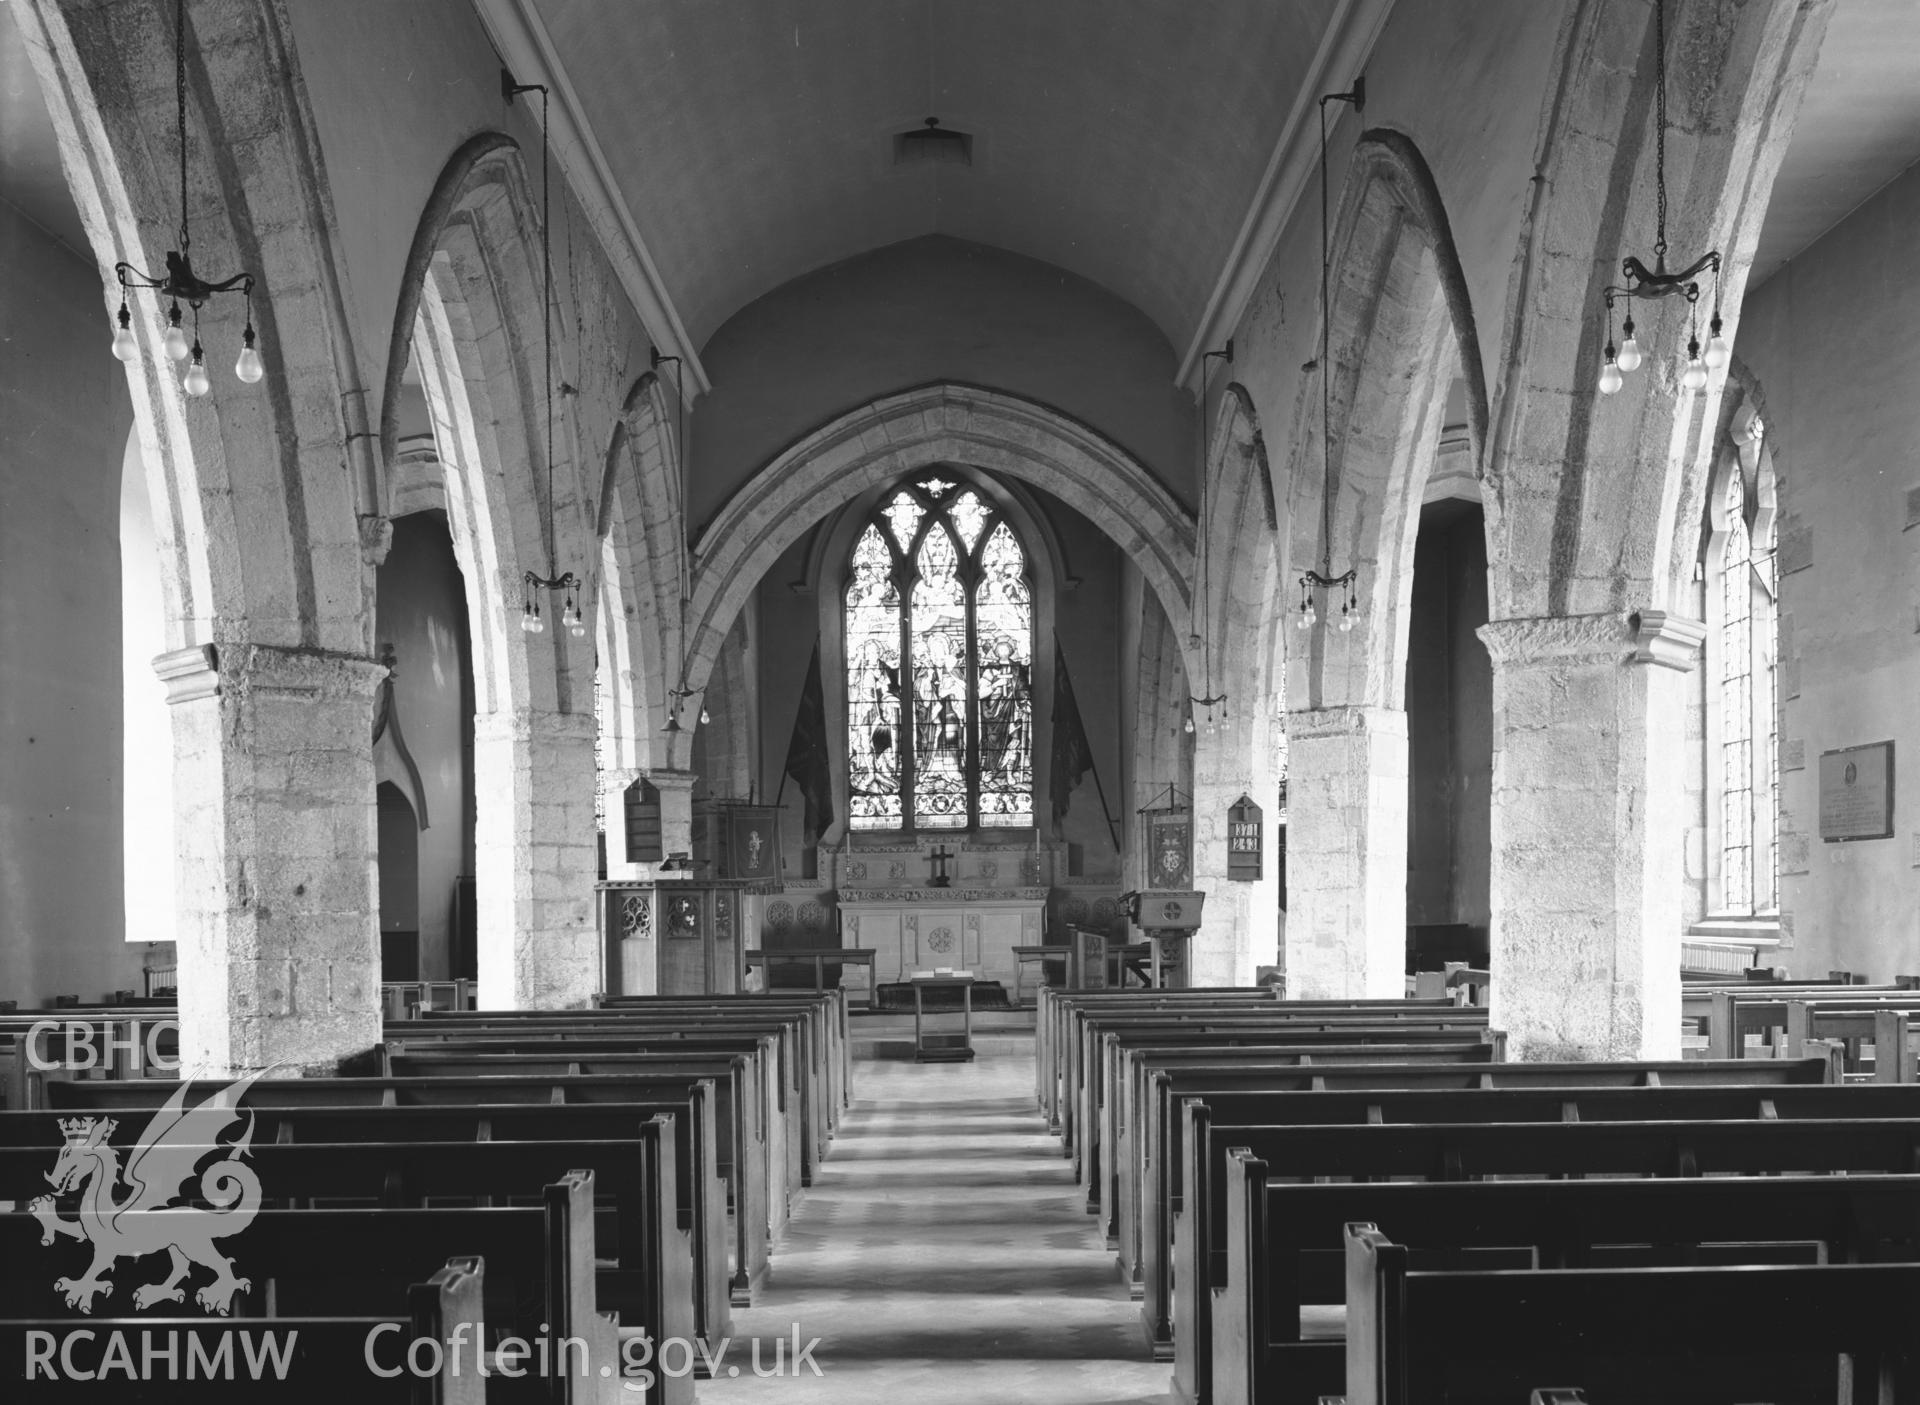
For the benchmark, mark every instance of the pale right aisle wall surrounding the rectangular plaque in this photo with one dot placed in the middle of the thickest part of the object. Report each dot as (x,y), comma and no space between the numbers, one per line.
(1835,348)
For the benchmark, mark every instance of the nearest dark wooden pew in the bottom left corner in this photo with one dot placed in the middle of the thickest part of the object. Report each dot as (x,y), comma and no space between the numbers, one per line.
(291,1360)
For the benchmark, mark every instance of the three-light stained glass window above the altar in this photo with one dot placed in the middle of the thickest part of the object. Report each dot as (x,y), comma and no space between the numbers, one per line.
(940,665)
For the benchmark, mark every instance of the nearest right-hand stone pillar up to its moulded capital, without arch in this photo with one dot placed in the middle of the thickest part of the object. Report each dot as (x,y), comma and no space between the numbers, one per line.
(1589,830)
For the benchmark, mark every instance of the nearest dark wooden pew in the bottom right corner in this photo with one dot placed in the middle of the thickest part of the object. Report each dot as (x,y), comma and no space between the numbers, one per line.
(1692,1331)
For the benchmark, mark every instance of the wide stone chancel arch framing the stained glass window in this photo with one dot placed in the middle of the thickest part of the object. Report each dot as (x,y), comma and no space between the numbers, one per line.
(915,429)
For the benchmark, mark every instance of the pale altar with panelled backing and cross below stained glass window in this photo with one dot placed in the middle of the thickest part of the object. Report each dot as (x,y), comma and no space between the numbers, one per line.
(994,901)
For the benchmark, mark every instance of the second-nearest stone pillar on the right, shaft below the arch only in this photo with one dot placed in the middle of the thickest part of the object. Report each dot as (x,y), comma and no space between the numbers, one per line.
(1347,853)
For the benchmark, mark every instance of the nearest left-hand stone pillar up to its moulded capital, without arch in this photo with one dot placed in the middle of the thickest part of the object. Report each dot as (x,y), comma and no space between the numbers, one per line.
(277,847)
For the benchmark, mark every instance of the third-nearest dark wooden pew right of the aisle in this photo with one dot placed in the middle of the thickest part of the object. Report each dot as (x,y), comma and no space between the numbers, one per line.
(1539,1151)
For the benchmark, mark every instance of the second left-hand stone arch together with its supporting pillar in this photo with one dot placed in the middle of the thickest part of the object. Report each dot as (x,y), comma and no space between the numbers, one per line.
(473,316)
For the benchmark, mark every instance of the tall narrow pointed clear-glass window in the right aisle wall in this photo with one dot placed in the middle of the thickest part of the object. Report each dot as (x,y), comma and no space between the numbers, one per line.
(1742,734)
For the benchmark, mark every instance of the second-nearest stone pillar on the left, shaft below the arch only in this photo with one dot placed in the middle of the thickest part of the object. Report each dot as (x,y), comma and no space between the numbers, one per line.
(537,855)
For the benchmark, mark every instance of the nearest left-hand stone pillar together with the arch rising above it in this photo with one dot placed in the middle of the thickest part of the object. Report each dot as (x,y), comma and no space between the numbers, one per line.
(264,510)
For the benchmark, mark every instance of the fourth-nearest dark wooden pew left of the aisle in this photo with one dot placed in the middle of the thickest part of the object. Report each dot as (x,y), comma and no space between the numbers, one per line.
(462,1112)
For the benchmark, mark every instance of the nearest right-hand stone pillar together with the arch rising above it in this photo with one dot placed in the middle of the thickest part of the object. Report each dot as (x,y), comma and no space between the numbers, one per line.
(1593,510)
